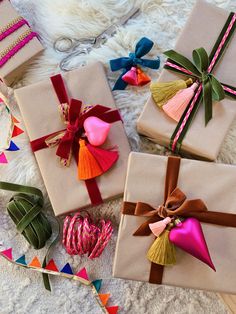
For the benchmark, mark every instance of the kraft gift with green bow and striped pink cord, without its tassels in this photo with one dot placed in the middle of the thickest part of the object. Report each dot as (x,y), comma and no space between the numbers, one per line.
(207,118)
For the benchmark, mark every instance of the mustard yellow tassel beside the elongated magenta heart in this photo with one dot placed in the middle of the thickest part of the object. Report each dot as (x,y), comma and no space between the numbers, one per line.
(162,251)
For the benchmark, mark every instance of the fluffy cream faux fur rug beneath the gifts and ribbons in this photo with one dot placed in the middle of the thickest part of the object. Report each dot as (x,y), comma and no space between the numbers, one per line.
(21,290)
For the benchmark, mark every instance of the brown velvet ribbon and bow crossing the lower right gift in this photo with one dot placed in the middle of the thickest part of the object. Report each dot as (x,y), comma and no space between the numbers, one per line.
(175,204)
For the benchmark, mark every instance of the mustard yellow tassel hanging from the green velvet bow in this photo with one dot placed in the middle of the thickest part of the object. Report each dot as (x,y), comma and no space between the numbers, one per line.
(163,91)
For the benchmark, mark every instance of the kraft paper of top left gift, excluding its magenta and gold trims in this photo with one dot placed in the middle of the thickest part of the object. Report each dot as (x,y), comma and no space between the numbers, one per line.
(15,66)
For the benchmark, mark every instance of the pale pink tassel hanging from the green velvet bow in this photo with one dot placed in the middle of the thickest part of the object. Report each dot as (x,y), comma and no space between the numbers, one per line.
(176,106)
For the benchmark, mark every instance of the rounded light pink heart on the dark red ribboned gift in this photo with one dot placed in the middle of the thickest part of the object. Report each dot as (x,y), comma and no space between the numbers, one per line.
(96,130)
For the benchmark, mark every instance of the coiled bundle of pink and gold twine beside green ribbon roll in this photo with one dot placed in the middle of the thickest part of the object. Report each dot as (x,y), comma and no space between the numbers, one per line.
(81,236)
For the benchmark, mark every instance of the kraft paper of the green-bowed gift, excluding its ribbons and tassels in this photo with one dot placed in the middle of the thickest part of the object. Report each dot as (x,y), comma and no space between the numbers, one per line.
(203,142)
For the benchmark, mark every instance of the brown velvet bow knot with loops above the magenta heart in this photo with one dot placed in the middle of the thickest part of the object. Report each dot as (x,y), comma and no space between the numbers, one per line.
(176,205)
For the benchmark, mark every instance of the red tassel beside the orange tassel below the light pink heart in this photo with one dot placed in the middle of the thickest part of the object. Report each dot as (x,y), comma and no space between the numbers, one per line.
(105,158)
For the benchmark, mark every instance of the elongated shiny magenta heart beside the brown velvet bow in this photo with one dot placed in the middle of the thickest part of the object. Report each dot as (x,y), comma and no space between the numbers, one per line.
(188,236)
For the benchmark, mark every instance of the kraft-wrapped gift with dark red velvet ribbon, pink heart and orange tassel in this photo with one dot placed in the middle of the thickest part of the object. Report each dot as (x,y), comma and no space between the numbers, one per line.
(60,133)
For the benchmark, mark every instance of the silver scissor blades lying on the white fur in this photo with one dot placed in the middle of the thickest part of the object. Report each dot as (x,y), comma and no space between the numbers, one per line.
(113,28)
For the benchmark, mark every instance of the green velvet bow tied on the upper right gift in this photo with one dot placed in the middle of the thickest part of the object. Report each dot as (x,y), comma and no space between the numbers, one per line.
(201,70)
